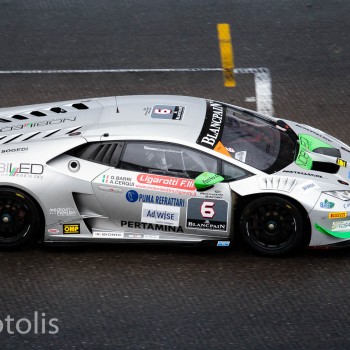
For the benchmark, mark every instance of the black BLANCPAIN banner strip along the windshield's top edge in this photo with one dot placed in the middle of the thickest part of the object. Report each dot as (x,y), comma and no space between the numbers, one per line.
(213,125)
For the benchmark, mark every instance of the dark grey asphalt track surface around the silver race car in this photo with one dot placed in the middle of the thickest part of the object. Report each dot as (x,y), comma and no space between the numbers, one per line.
(128,297)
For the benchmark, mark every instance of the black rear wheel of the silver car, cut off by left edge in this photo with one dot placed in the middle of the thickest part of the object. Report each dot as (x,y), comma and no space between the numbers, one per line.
(19,218)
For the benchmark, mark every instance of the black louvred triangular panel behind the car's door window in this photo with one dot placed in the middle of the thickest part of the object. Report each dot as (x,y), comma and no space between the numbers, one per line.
(106,153)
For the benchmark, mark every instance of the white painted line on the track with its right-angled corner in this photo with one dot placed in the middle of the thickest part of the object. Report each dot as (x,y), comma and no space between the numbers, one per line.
(262,79)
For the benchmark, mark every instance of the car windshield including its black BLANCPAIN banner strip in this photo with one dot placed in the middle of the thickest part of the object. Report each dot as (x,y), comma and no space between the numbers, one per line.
(247,138)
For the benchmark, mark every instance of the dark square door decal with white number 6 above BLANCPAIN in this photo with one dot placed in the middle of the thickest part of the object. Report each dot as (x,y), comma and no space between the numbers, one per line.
(207,214)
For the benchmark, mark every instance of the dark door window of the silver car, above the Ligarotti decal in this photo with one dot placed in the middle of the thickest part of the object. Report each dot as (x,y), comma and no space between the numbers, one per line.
(172,160)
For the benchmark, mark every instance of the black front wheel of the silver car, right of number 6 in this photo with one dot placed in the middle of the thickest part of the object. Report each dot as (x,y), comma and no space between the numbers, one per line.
(272,225)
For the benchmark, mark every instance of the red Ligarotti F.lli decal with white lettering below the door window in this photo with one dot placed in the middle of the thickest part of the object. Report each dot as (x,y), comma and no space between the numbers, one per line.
(166,181)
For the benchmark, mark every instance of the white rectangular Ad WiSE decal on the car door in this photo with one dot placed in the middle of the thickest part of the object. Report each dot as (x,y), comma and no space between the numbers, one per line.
(160,214)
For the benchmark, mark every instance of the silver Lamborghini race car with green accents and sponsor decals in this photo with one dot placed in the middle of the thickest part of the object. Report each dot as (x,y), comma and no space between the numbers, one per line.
(169,169)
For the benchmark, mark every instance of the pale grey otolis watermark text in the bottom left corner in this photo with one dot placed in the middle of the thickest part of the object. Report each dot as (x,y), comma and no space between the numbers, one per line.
(39,324)
